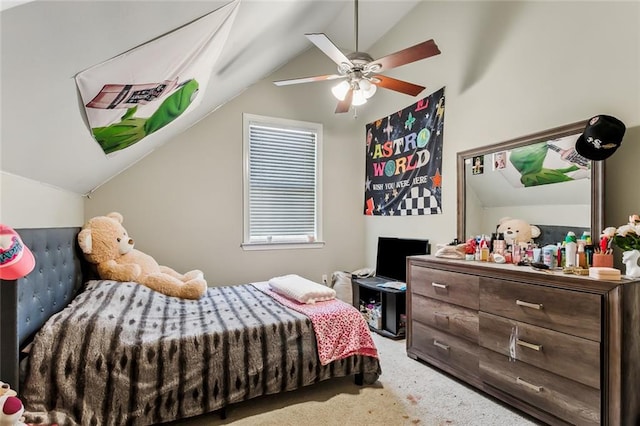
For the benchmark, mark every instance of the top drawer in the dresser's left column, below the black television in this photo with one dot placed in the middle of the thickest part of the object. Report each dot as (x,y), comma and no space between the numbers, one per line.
(452,287)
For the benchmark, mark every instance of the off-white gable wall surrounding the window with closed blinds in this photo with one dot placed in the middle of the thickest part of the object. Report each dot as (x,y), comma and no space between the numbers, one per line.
(183,203)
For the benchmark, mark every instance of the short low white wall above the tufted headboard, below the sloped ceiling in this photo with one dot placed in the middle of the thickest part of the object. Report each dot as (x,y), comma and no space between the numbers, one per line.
(25,203)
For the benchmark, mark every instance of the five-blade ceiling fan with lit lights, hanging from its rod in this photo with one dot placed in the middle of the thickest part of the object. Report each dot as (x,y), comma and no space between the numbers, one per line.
(360,72)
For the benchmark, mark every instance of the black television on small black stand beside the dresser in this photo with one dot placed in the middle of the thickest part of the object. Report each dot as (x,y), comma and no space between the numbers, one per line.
(391,258)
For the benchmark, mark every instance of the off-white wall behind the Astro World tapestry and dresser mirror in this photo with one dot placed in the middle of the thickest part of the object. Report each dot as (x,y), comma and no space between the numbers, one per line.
(511,69)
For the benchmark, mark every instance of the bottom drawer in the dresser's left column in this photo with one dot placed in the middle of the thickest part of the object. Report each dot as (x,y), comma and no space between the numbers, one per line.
(456,353)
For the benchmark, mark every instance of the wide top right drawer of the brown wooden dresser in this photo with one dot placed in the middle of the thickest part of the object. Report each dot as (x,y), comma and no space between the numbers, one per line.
(567,311)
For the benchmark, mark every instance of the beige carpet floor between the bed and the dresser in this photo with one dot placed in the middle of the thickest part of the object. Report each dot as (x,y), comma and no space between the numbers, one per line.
(407,393)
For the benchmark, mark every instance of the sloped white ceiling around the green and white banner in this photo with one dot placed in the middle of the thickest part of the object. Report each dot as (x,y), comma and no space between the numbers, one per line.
(44,44)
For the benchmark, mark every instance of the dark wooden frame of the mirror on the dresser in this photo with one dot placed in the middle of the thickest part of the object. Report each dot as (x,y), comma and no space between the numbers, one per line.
(597,174)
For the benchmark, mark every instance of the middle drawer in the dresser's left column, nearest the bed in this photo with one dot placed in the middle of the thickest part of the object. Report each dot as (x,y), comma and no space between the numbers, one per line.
(454,319)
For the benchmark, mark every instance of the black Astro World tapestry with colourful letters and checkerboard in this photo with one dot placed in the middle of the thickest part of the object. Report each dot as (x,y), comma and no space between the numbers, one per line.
(404,160)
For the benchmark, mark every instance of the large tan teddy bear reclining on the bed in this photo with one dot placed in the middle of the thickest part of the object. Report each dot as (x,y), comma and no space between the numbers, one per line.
(105,243)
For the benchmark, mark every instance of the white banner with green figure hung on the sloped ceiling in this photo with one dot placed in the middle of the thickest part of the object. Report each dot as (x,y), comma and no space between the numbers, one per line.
(140,91)
